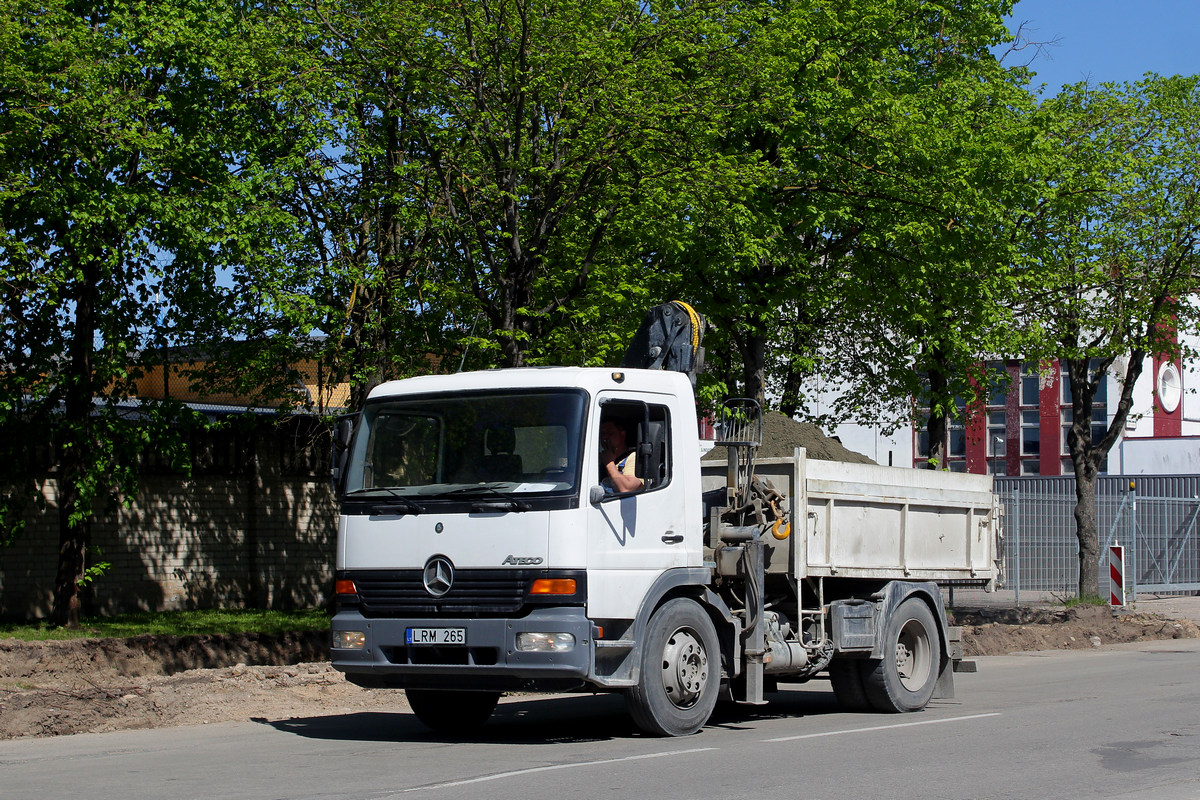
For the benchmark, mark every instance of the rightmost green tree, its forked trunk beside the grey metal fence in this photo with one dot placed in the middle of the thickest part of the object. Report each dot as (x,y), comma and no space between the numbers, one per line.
(1118,257)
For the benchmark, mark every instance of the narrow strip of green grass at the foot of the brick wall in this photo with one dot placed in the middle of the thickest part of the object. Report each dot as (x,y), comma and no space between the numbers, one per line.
(194,623)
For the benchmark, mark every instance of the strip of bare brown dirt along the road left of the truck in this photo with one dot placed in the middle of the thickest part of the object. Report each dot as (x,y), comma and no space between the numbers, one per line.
(95,685)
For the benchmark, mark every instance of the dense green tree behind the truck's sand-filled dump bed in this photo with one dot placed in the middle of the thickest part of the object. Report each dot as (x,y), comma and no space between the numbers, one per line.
(889,136)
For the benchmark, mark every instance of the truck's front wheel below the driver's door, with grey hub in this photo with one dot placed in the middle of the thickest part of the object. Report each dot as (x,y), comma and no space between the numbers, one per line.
(681,672)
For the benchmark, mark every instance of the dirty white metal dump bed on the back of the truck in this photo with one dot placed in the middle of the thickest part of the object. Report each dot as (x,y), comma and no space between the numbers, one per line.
(863,521)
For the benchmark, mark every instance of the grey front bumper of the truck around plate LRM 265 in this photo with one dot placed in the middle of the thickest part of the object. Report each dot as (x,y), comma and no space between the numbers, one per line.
(489,661)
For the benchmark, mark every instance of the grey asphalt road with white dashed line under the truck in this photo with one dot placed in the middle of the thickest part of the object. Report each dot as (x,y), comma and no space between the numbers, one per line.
(1119,723)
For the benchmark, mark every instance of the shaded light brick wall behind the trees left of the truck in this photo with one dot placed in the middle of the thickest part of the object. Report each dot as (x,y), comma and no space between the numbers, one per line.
(260,534)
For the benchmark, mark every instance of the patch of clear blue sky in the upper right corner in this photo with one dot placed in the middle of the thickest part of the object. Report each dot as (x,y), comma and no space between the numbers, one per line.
(1111,40)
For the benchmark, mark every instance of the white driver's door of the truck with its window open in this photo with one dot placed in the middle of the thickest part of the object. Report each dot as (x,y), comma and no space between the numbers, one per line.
(633,537)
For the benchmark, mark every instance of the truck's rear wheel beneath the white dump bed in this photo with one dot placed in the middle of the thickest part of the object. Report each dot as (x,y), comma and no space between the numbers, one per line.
(905,678)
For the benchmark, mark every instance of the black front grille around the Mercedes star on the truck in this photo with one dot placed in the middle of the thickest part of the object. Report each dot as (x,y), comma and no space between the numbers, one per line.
(476,593)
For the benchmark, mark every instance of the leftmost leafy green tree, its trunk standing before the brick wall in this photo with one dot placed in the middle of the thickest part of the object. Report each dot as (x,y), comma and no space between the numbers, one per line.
(115,166)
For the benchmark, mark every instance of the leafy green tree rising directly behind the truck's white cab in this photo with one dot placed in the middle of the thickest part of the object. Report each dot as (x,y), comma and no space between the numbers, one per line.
(562,137)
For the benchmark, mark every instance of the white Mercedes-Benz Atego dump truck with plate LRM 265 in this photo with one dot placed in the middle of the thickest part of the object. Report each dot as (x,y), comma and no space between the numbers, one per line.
(482,549)
